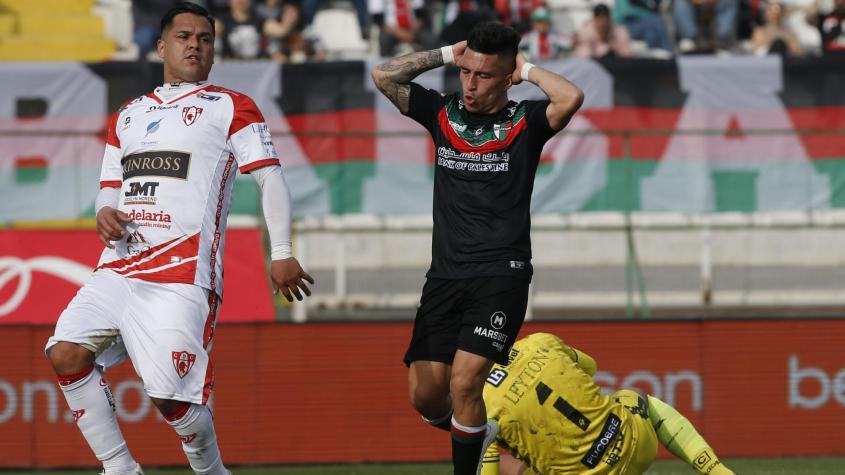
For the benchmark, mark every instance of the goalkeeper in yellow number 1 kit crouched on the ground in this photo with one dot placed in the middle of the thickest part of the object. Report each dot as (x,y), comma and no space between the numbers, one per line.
(554,419)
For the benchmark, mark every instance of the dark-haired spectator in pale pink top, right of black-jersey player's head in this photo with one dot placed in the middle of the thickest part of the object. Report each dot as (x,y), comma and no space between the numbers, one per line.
(600,37)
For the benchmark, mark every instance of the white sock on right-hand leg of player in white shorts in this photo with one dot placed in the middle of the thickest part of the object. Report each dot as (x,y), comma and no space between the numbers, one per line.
(196,429)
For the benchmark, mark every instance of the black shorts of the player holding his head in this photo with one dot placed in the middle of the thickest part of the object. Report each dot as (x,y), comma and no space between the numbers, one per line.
(481,315)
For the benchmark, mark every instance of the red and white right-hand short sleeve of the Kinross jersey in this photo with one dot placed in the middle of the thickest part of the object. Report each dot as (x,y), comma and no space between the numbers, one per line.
(249,136)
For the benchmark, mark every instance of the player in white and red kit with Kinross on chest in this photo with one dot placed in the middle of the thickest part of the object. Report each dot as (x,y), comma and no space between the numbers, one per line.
(166,185)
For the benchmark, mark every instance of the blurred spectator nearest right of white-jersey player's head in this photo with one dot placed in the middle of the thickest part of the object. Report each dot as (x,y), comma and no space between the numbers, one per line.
(241,31)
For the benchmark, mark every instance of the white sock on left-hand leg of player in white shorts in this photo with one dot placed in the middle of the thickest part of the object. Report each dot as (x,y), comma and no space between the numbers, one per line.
(89,398)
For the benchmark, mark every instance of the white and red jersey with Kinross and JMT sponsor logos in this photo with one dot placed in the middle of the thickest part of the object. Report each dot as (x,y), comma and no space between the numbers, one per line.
(174,154)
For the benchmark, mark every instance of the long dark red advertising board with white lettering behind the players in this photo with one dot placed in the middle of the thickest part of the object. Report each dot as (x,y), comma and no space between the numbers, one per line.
(308,393)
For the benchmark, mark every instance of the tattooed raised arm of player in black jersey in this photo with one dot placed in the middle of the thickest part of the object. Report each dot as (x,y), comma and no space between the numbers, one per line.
(393,78)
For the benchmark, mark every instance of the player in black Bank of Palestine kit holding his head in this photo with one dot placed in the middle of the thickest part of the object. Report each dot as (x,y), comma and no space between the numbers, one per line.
(486,153)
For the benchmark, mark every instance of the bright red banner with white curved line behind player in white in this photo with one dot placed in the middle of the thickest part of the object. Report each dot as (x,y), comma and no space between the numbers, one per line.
(40,271)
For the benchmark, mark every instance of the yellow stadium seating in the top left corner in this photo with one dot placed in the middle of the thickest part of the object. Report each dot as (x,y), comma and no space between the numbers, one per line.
(52,30)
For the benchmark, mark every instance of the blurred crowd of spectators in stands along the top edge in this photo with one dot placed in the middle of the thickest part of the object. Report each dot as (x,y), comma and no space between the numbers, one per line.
(296,31)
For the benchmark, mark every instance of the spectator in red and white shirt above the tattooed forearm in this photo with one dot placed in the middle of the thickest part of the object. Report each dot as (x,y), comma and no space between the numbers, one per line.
(403,25)
